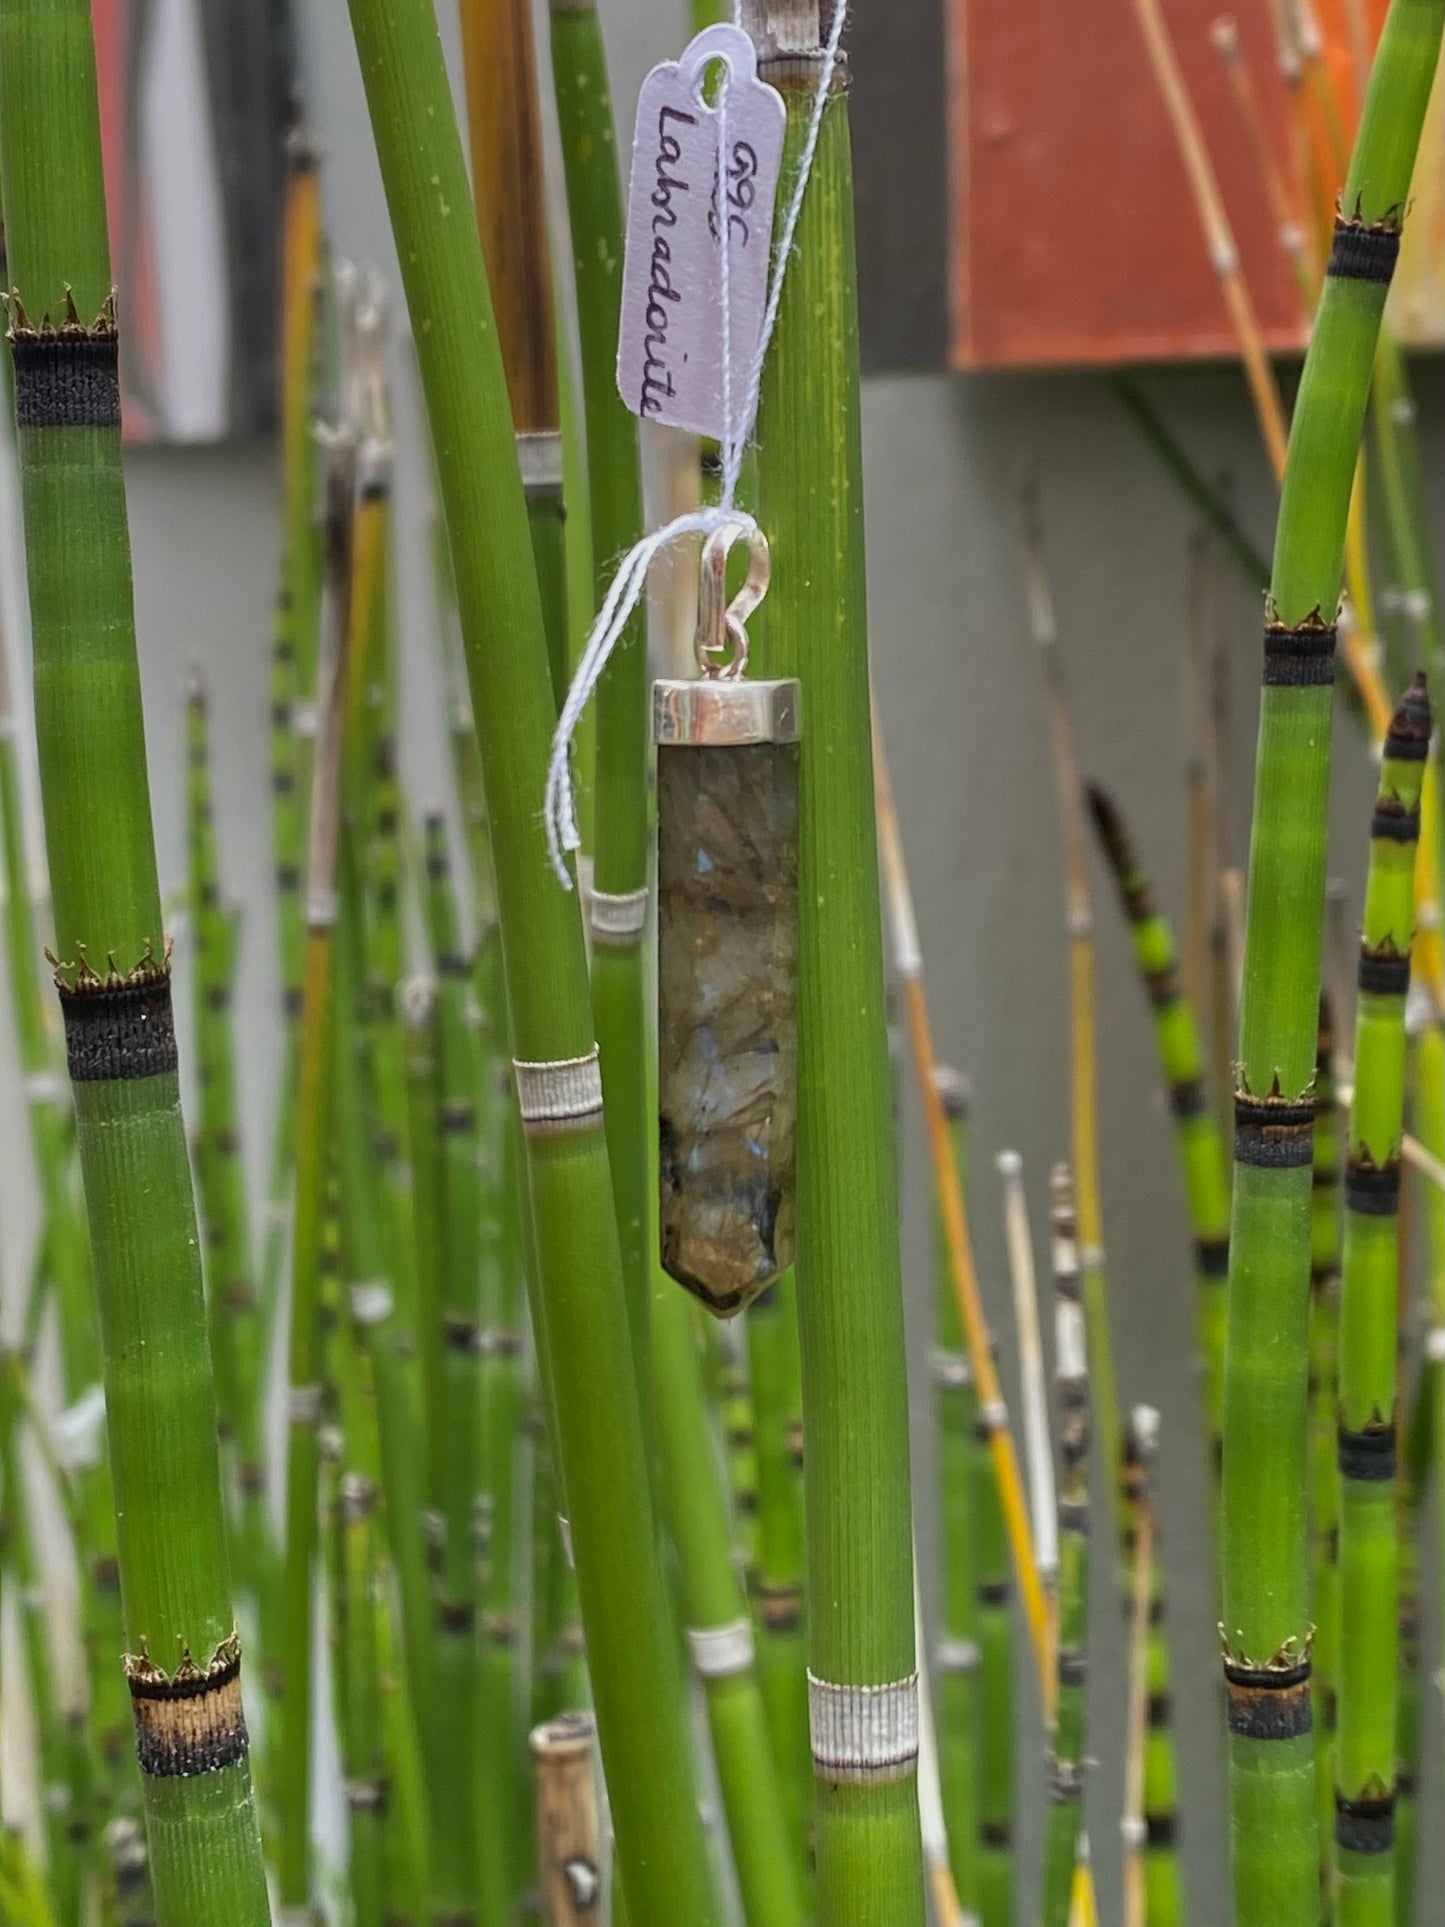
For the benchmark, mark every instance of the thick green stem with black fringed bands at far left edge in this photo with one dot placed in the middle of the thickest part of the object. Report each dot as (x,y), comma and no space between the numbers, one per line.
(115,982)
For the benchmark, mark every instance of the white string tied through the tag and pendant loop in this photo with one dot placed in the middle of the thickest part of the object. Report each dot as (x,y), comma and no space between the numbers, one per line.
(631,579)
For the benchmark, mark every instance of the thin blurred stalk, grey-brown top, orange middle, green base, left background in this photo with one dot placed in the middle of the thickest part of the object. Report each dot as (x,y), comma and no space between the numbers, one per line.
(315,1109)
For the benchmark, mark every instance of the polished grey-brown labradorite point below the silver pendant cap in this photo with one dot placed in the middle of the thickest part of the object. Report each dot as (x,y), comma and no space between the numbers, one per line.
(727,1016)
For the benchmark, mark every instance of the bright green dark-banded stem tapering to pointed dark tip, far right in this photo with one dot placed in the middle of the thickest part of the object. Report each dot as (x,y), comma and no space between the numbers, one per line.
(1369,1649)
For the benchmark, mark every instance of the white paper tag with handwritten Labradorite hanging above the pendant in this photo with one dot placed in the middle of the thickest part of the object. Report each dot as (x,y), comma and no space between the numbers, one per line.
(670,354)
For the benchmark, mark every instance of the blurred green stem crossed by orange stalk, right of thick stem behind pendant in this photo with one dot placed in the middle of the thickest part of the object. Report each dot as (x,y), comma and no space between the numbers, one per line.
(957,1649)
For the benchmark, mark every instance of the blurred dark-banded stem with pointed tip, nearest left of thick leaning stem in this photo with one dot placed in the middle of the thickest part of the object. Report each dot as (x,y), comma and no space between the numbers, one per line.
(460,1423)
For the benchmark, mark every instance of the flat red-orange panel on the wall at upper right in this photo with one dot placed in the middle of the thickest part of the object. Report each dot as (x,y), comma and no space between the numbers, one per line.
(1074,232)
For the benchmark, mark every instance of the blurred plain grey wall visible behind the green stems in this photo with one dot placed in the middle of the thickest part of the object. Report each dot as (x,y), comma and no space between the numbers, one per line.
(960,689)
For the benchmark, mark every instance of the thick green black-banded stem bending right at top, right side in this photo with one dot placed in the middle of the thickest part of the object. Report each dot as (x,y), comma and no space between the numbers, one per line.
(1265,1529)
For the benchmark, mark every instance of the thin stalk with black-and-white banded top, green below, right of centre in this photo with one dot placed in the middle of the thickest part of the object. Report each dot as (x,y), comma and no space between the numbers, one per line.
(1070,1720)
